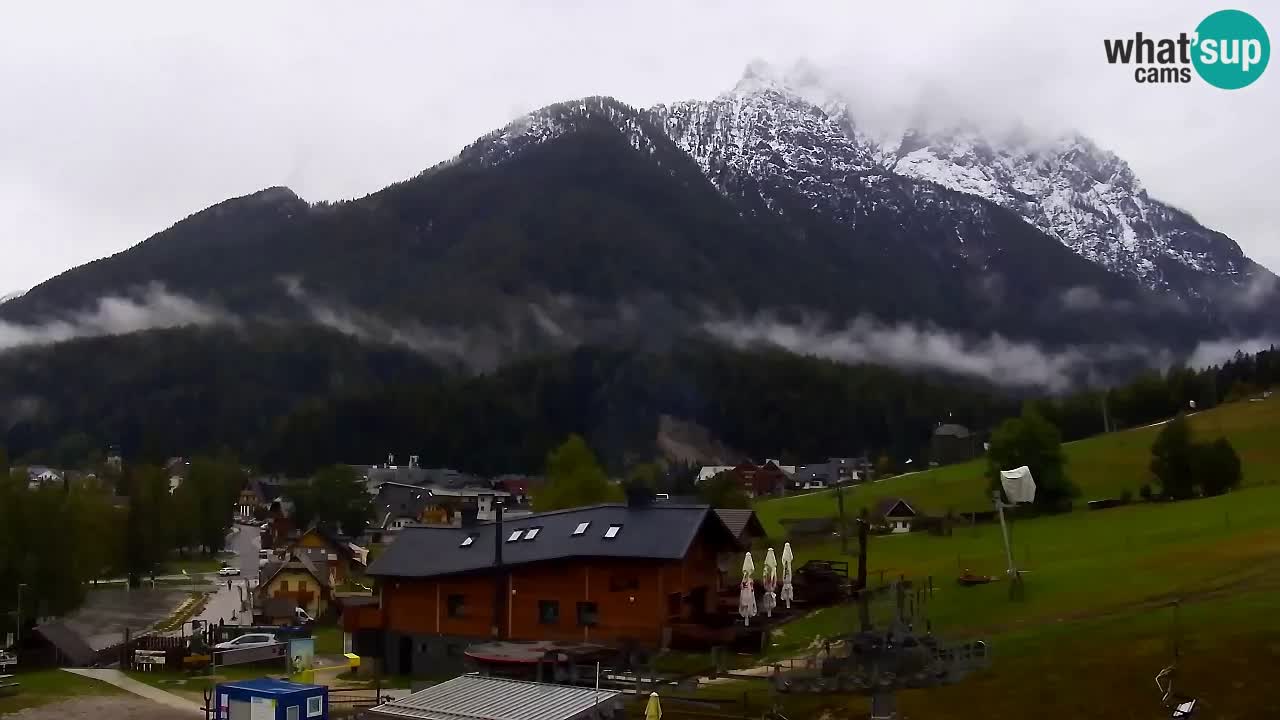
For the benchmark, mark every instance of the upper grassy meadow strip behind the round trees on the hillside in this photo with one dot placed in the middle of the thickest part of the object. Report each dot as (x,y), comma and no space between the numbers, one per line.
(1104,467)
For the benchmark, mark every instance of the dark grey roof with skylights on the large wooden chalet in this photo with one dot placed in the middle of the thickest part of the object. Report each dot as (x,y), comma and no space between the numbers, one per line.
(662,532)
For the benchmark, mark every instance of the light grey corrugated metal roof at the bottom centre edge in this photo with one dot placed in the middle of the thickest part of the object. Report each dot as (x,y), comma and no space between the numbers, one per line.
(473,698)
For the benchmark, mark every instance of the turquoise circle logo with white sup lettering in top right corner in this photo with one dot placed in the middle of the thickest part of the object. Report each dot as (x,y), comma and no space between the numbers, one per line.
(1232,49)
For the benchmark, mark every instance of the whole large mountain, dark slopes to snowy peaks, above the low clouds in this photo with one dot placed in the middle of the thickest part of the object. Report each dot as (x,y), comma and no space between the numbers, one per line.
(760,200)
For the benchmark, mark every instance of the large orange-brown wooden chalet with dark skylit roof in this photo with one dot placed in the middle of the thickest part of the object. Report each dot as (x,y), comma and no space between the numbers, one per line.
(611,575)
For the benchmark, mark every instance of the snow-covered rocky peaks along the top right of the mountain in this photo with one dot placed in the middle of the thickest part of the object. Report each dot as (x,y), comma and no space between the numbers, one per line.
(797,122)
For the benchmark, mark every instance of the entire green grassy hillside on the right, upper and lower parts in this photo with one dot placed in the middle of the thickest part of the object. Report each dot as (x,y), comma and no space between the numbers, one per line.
(1095,626)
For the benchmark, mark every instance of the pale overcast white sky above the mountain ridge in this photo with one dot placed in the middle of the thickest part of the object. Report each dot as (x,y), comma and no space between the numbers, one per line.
(121,119)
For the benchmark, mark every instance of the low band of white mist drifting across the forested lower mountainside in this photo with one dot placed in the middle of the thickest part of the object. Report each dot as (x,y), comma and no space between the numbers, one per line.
(564,323)
